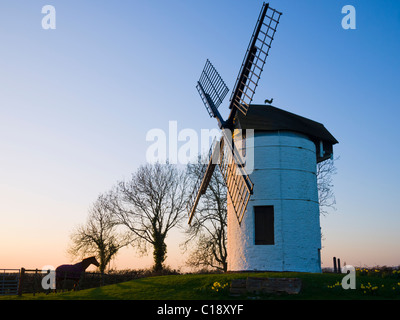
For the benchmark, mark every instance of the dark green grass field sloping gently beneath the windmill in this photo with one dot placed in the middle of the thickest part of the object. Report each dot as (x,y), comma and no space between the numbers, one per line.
(200,287)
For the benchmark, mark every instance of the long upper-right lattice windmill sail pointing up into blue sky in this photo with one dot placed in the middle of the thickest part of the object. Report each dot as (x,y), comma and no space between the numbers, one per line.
(254,60)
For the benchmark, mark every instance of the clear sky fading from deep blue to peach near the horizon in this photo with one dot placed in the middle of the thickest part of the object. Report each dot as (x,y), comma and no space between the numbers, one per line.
(76,104)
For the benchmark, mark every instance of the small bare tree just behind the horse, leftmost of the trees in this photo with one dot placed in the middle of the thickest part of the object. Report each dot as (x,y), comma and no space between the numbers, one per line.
(99,235)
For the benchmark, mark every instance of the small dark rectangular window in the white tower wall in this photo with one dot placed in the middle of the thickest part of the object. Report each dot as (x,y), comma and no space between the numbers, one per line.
(264,225)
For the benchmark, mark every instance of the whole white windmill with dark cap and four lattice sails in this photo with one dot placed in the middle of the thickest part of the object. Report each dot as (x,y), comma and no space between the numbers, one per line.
(273,210)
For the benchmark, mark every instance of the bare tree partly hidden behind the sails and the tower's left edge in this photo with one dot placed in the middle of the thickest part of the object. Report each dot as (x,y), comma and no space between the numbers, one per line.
(206,237)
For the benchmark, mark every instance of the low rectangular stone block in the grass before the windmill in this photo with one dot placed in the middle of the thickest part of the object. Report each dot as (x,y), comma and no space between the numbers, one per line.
(265,285)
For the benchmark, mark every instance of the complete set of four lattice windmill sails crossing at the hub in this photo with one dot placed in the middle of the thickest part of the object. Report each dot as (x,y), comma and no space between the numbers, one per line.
(213,90)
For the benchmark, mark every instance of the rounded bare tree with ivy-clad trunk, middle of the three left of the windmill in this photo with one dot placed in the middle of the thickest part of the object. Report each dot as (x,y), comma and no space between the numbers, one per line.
(150,205)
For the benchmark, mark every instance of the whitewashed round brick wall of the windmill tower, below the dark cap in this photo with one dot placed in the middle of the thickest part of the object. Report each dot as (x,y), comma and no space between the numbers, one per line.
(284,177)
